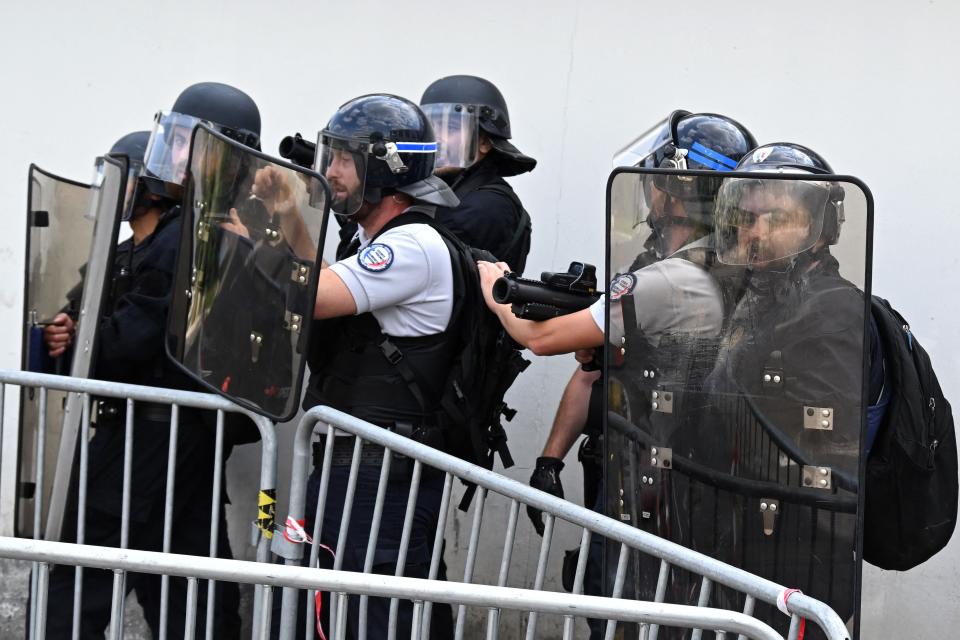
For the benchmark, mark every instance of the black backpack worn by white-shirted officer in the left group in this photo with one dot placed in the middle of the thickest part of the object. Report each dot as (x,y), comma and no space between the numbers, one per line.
(485,365)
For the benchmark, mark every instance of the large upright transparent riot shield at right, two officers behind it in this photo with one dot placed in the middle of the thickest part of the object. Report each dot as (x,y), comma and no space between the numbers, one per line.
(736,378)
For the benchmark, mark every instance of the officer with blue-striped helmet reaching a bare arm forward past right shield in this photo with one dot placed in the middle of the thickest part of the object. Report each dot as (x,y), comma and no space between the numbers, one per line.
(667,289)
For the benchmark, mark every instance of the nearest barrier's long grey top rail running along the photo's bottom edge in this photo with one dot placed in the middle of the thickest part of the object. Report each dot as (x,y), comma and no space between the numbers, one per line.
(193,568)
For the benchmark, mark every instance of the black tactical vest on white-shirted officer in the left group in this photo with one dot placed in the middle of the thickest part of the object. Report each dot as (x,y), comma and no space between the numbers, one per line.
(383,379)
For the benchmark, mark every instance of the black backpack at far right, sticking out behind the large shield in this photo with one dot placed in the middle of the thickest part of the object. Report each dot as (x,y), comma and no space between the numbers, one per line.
(911,477)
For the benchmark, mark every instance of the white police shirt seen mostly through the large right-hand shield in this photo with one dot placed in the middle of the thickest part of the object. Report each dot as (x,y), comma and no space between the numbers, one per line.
(672,296)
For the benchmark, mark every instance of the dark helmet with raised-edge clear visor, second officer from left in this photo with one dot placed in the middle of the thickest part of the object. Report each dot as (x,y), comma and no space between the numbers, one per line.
(225,109)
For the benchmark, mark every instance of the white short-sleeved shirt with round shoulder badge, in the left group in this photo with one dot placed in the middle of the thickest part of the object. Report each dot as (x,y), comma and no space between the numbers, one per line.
(404,278)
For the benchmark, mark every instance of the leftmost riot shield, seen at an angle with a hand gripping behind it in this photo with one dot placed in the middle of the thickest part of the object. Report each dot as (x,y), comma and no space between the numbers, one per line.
(71,234)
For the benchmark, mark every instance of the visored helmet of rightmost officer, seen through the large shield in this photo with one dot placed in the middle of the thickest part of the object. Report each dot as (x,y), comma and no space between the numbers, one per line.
(770,223)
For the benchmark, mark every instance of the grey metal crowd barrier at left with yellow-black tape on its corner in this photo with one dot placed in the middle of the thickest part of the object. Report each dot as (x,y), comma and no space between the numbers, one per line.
(133,394)
